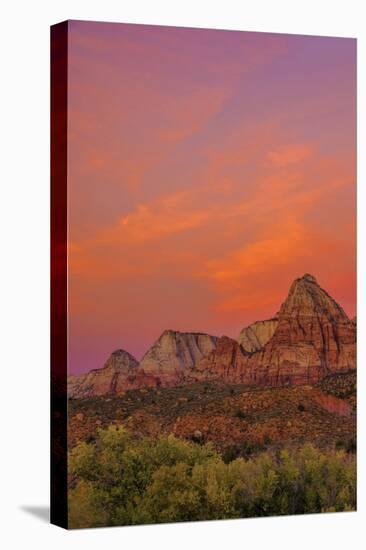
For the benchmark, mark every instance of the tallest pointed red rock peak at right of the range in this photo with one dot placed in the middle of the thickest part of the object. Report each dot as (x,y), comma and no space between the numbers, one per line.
(313,337)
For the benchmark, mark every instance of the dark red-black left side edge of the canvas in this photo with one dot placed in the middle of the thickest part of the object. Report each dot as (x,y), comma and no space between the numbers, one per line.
(58,298)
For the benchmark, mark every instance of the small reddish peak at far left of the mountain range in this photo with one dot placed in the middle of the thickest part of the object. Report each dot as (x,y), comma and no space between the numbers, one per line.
(120,372)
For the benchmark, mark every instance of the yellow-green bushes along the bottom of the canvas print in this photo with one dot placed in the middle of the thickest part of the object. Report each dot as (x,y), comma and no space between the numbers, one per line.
(119,480)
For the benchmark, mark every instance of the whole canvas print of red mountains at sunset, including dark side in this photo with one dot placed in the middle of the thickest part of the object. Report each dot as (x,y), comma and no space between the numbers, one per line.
(203,274)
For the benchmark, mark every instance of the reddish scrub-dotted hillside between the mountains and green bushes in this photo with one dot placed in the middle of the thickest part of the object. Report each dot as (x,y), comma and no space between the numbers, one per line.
(237,419)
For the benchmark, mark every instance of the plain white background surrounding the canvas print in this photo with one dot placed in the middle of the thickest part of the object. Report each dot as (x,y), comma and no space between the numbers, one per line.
(24,272)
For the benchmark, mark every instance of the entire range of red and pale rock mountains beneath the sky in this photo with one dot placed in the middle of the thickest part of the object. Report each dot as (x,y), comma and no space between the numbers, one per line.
(309,338)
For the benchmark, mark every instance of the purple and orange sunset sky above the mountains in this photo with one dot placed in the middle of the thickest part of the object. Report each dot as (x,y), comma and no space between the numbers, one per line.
(207,170)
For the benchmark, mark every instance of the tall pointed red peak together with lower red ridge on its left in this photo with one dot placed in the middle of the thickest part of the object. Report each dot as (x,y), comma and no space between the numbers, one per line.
(313,338)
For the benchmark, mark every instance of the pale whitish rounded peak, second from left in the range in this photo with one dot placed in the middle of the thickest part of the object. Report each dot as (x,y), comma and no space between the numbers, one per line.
(174,354)
